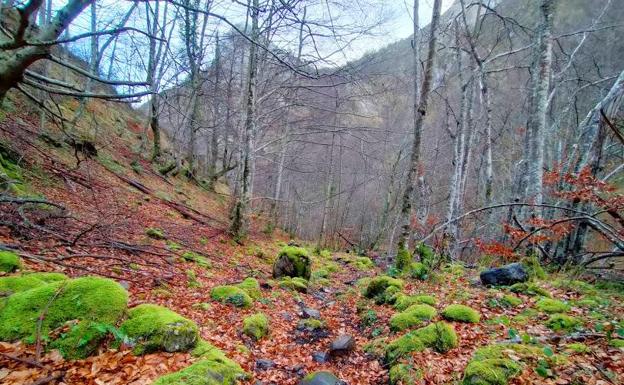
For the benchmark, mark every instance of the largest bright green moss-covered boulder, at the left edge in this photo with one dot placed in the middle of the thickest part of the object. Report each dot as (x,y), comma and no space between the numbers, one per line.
(88,298)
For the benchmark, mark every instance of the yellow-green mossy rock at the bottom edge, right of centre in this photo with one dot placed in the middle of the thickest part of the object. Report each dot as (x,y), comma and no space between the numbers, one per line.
(493,371)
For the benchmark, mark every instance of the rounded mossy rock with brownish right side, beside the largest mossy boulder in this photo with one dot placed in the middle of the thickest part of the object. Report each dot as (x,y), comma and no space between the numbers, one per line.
(151,328)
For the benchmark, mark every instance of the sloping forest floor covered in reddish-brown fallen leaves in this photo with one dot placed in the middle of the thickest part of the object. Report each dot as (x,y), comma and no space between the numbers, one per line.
(110,201)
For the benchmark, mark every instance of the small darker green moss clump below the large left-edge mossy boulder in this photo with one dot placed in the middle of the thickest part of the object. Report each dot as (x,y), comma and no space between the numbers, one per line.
(81,341)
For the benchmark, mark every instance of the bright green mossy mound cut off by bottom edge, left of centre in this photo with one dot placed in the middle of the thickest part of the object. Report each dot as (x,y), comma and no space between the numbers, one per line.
(216,370)
